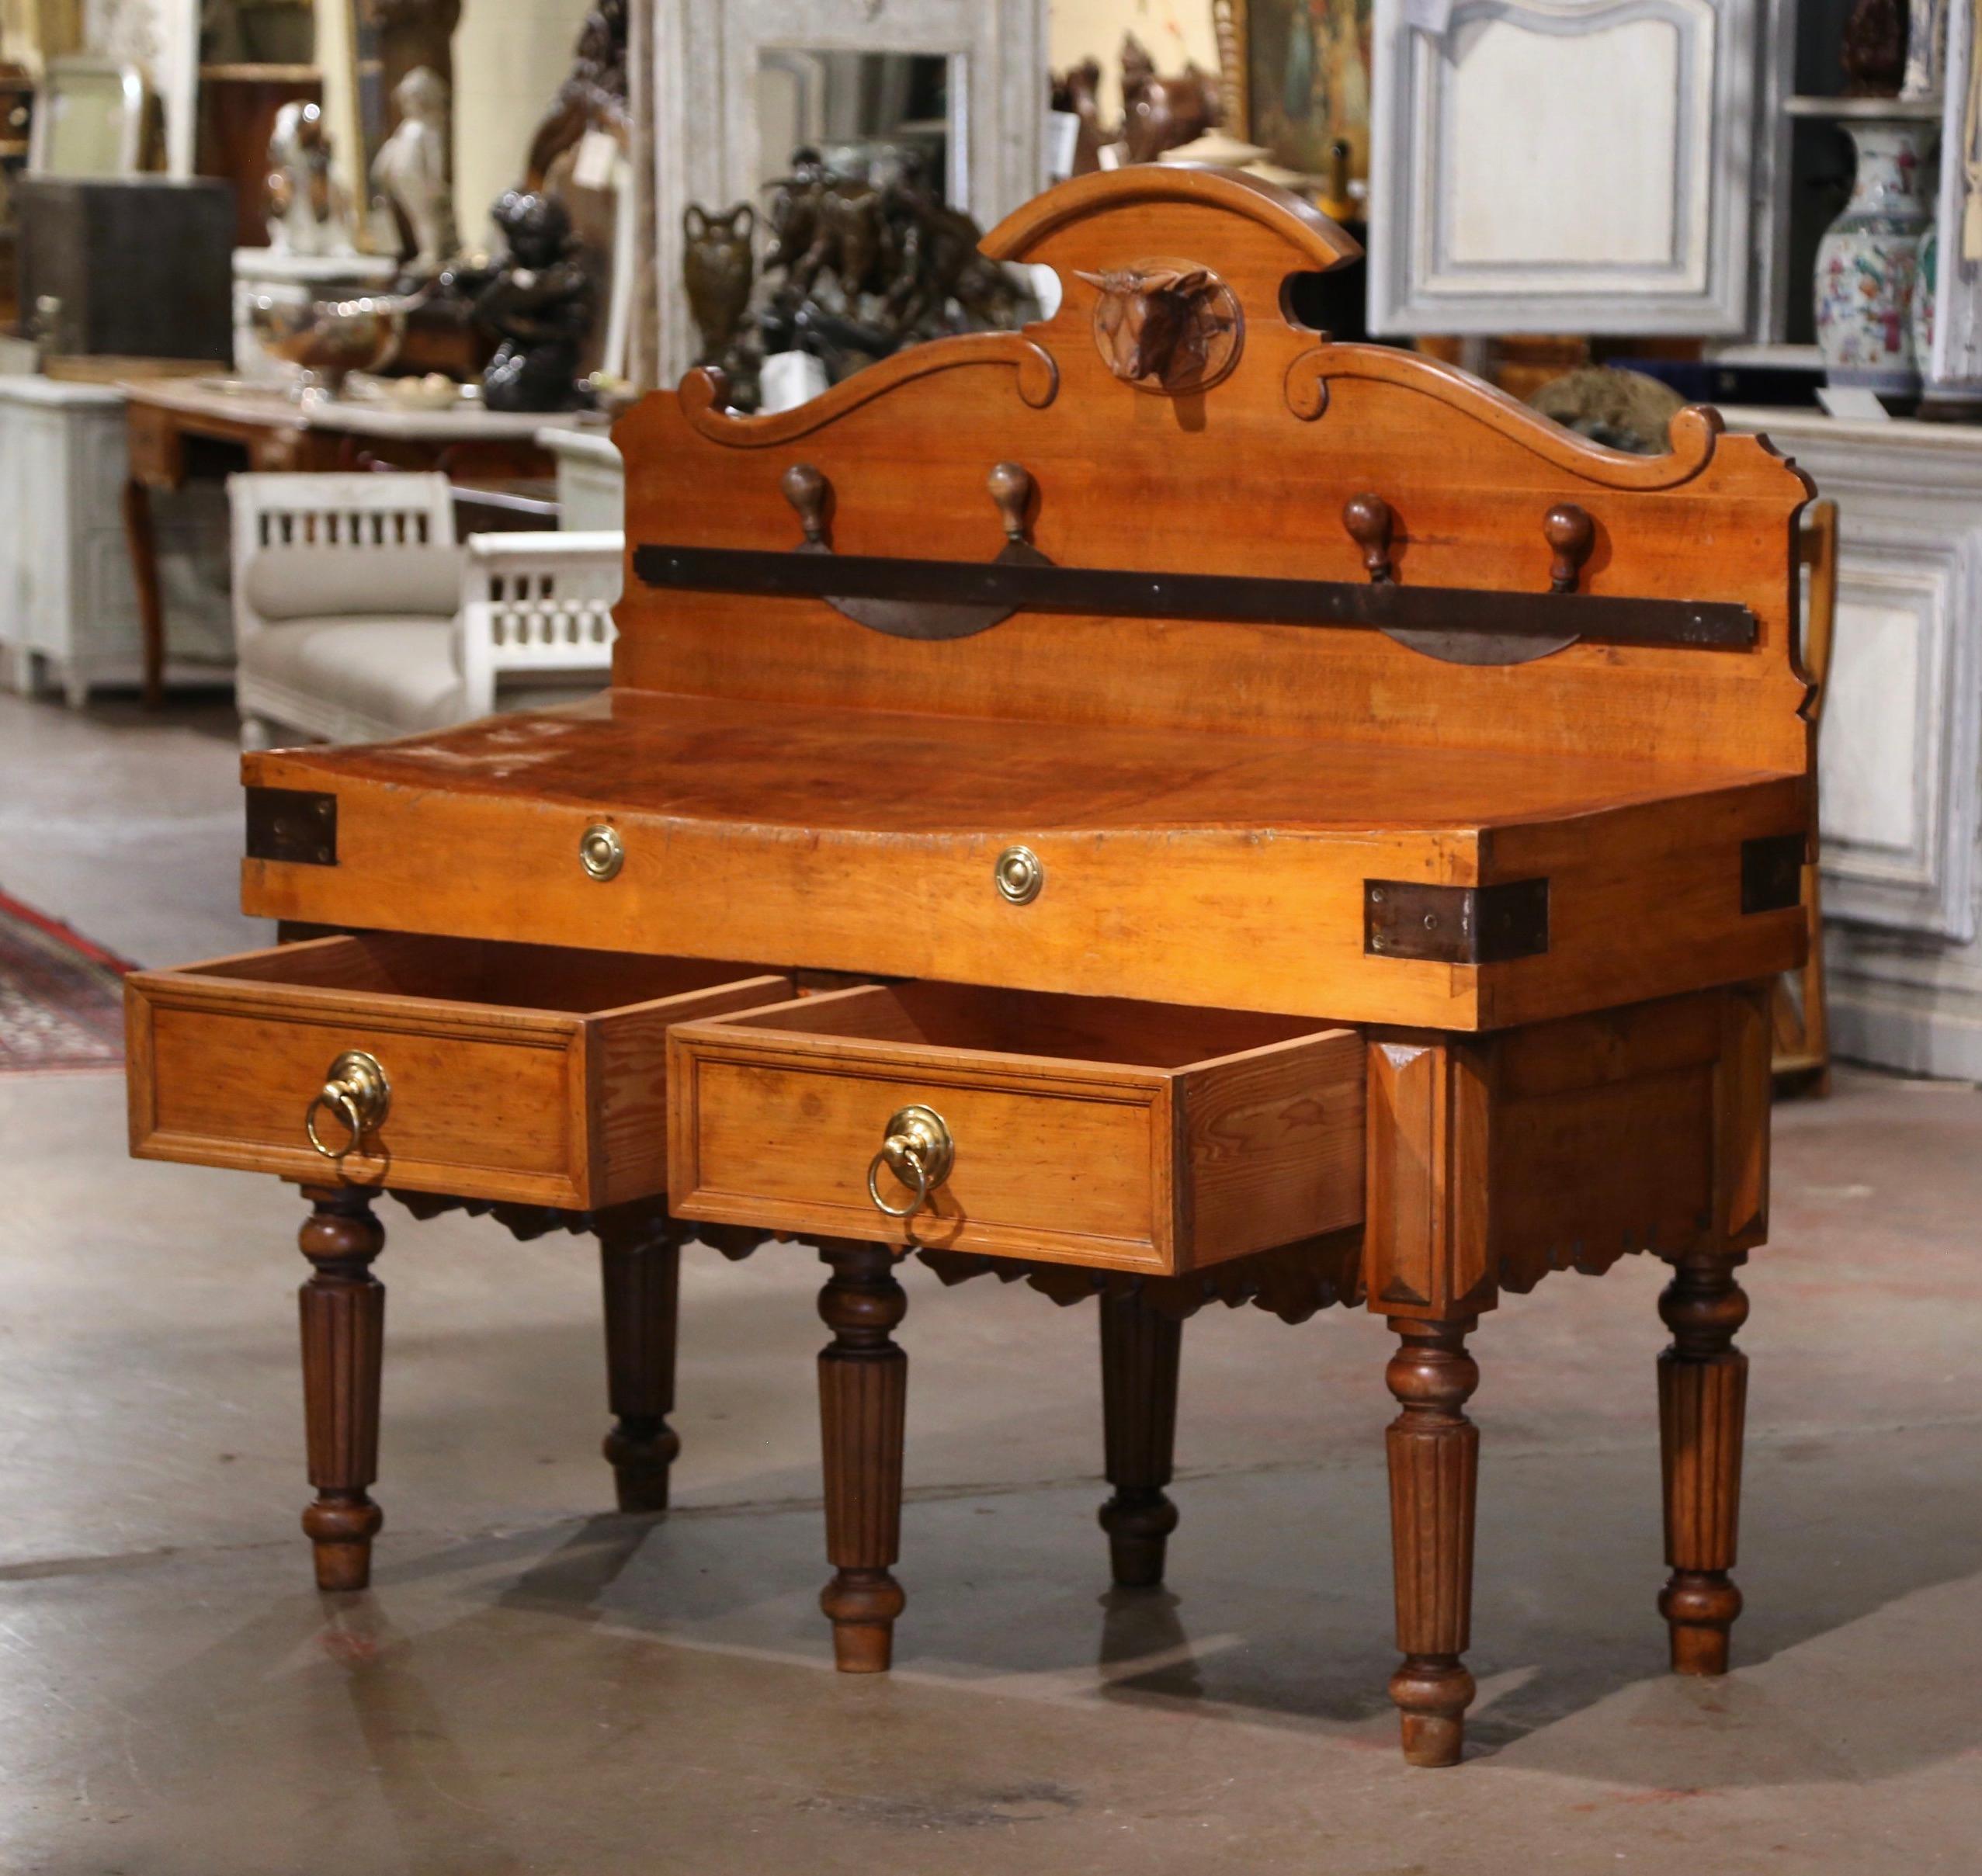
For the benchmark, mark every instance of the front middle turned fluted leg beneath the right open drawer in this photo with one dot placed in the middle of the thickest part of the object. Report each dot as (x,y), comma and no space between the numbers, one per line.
(863,1400)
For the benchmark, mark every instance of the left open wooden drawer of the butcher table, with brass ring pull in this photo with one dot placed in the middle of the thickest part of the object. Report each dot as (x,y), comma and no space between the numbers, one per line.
(483,1071)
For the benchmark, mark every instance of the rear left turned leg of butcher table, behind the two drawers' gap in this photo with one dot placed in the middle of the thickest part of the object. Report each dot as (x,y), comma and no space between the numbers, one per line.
(641,1265)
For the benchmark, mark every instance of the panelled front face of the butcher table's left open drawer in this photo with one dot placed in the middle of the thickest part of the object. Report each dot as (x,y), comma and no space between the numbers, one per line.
(469,1114)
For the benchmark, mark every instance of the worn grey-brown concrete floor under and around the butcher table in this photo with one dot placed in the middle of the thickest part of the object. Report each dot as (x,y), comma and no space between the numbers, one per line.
(536,1687)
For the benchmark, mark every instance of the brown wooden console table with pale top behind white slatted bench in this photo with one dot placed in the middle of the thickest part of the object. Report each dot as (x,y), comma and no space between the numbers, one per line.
(187,427)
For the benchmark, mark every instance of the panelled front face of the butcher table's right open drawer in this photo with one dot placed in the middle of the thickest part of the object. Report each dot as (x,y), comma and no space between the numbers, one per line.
(1040,1170)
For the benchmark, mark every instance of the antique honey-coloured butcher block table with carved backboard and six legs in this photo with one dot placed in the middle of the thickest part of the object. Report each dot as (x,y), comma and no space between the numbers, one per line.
(1156,805)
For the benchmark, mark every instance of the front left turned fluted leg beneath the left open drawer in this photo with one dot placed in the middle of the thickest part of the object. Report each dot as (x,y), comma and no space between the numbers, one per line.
(344,1340)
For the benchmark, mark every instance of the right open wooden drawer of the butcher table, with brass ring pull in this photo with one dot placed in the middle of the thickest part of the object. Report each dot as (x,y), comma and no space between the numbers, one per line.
(1073,1130)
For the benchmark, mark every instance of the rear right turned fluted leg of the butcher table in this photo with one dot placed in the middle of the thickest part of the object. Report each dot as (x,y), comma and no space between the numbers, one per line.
(1704,1396)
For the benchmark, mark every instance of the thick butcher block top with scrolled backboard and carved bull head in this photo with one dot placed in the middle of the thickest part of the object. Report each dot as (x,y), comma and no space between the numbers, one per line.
(1269,809)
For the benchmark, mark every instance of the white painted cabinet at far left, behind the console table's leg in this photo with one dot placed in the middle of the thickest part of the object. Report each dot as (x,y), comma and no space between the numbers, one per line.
(68,603)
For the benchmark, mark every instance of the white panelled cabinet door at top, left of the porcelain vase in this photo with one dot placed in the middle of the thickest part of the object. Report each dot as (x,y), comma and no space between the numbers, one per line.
(1567,165)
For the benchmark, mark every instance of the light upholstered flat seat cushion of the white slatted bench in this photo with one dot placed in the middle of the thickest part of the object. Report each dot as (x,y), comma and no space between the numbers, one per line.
(387,671)
